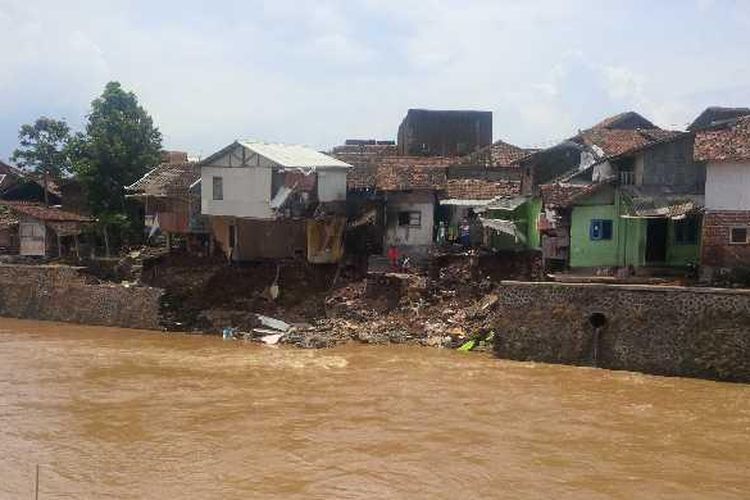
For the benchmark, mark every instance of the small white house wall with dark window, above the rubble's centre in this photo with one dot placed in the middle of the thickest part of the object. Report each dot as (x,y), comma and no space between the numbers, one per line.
(409,235)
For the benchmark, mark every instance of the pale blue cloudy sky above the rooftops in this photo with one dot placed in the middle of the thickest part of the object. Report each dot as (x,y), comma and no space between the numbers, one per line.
(318,72)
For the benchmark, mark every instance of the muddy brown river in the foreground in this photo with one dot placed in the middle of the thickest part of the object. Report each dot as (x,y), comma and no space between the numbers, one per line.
(113,413)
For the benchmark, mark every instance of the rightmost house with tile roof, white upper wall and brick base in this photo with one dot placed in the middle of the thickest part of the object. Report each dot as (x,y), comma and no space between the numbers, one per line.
(725,150)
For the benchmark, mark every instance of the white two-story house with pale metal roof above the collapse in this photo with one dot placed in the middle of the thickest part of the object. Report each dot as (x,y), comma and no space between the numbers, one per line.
(271,201)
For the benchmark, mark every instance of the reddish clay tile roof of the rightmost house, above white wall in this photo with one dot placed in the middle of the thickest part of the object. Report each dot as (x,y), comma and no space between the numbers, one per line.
(727,144)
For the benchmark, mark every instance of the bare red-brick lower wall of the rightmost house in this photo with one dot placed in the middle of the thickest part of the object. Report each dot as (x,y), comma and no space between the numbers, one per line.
(717,251)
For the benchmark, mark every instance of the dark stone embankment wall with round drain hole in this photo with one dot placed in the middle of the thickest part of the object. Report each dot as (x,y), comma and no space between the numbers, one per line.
(681,331)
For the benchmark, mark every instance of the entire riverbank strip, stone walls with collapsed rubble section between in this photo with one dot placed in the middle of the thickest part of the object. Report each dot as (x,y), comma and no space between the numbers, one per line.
(452,301)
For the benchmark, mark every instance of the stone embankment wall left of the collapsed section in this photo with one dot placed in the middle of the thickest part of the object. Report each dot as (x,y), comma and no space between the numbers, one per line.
(63,293)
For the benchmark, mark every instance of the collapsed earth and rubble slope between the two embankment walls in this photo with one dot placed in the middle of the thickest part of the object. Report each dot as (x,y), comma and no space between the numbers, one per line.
(445,306)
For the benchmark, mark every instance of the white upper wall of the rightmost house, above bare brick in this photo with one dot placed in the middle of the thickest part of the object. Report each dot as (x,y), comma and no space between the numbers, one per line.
(728,186)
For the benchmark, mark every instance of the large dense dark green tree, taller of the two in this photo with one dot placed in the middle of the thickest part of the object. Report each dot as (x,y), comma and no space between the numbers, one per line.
(120,144)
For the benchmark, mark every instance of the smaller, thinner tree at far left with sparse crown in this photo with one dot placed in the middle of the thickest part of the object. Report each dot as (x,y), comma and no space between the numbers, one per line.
(43,150)
